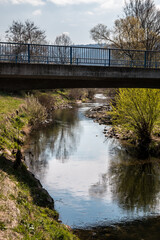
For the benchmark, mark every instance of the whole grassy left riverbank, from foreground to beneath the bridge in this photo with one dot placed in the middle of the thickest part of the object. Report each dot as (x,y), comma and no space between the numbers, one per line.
(26,209)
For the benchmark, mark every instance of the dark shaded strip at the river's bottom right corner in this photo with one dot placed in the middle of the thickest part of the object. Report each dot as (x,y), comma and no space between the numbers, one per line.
(147,229)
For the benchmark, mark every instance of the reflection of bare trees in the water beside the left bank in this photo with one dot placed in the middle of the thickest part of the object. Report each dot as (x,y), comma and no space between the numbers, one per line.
(60,139)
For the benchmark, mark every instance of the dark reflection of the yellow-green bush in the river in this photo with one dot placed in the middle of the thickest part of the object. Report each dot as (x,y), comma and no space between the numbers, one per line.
(135,184)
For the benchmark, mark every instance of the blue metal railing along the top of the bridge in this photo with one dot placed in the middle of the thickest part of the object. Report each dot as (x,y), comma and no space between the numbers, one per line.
(77,55)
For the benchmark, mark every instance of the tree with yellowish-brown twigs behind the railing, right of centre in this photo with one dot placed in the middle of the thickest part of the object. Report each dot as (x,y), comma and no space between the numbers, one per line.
(127,34)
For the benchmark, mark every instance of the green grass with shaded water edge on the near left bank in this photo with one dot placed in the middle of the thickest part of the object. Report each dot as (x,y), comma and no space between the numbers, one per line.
(37,219)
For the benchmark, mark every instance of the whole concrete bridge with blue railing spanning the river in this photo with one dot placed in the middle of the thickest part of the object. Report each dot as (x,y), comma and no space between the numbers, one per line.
(33,66)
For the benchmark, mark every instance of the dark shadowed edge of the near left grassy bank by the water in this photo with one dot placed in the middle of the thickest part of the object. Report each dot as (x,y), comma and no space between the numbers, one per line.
(27,181)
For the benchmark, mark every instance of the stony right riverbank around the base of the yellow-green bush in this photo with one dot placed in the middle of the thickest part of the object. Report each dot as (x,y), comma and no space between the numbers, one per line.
(103,115)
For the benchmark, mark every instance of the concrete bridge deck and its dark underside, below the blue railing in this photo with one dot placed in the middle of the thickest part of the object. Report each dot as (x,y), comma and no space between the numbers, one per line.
(46,76)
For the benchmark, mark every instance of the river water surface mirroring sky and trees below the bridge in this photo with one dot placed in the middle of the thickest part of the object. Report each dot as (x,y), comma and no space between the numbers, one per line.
(92,179)
